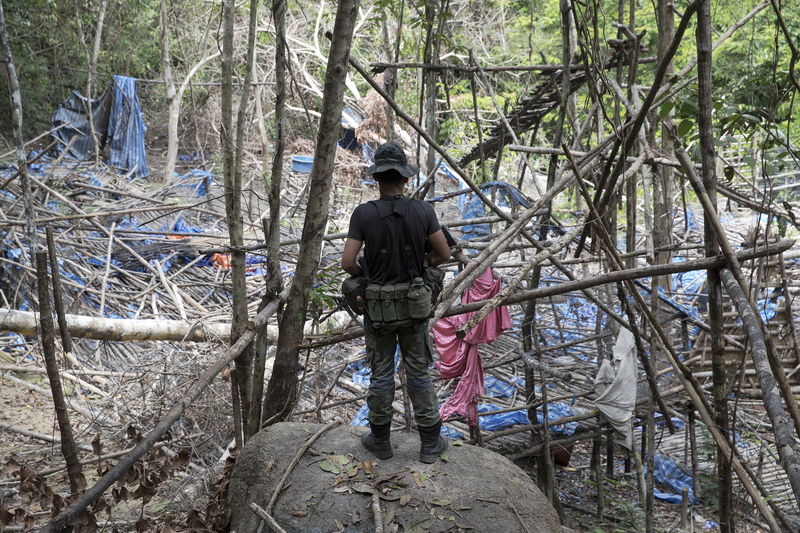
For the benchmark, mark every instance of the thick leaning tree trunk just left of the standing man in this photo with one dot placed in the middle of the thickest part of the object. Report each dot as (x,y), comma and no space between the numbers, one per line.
(282,389)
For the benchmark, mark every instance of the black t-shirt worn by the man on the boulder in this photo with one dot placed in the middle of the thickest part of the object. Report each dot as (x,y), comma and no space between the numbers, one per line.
(402,233)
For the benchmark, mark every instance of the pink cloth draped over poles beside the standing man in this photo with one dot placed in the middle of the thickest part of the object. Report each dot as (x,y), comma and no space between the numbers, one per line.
(459,357)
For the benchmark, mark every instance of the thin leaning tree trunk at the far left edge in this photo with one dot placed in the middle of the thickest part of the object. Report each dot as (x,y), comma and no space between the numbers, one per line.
(16,125)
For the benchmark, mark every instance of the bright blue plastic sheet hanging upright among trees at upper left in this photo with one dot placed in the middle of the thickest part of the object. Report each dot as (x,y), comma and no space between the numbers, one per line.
(126,128)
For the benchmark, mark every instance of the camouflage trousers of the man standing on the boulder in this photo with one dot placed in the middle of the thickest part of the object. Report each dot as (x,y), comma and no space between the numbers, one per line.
(416,353)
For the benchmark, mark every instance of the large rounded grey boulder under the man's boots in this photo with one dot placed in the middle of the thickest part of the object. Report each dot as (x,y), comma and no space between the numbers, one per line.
(331,487)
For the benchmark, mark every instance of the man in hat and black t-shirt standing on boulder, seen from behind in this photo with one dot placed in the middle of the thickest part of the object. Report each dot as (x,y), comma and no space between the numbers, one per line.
(395,231)
